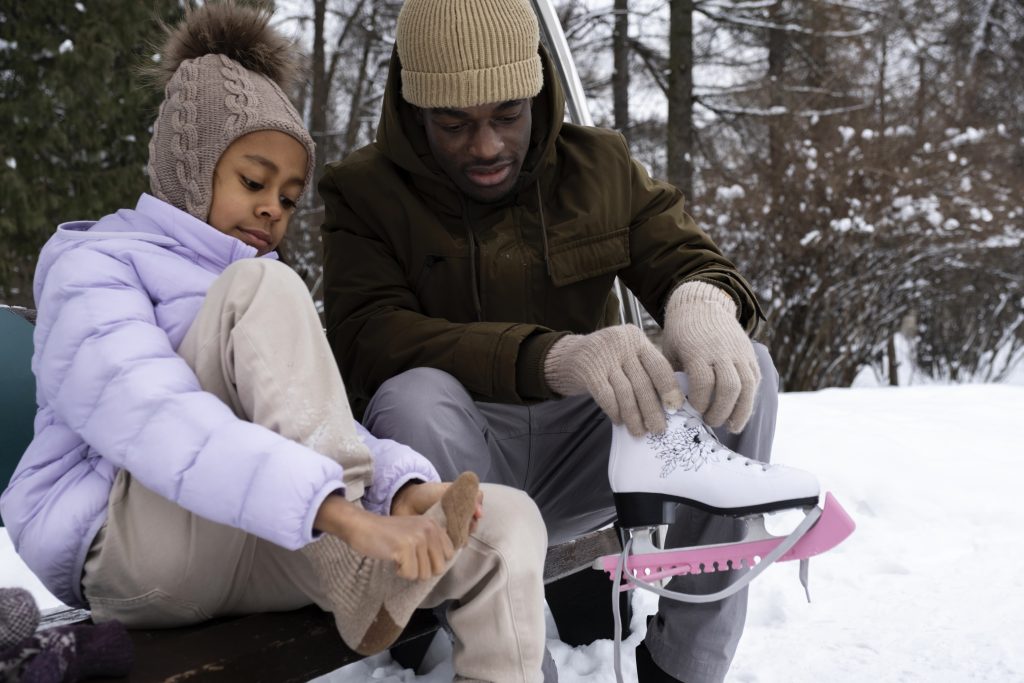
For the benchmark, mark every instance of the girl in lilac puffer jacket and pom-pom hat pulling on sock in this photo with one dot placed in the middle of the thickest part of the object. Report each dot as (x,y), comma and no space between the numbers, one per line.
(194,454)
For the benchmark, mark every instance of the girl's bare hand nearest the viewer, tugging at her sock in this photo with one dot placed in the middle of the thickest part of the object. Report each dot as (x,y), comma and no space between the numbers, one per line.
(418,545)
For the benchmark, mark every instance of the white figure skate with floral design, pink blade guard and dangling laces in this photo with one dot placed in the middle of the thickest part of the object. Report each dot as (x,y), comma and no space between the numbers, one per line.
(653,475)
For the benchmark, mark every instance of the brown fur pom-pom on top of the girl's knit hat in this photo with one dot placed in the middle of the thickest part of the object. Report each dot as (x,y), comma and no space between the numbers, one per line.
(239,32)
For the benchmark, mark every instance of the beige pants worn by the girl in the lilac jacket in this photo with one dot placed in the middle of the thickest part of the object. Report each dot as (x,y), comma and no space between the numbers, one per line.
(258,345)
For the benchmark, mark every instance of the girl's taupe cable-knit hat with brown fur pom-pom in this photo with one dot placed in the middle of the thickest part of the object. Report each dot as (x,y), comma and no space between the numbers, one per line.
(224,68)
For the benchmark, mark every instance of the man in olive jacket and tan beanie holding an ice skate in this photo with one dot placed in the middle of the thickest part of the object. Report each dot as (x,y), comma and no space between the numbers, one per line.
(470,260)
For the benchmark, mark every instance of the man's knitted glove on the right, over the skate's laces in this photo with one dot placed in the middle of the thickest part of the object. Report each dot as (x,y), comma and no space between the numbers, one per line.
(704,339)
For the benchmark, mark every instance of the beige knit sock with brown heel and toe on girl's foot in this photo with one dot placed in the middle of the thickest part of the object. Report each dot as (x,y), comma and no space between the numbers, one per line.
(371,603)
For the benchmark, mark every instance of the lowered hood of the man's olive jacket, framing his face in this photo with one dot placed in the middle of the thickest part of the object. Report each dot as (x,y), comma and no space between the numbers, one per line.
(404,142)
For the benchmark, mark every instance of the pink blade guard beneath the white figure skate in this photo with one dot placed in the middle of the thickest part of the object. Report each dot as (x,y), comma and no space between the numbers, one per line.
(832,529)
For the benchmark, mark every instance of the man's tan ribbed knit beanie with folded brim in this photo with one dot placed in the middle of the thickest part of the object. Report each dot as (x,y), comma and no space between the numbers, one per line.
(458,54)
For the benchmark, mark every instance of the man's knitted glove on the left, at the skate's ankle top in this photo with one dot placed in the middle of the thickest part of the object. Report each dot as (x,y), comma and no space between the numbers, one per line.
(625,373)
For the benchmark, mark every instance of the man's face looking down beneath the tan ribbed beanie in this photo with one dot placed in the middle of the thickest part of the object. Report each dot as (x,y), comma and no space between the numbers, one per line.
(482,148)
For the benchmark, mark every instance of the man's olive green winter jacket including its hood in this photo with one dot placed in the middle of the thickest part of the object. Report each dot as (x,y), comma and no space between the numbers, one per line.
(416,275)
